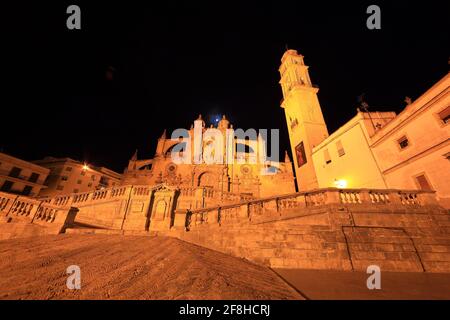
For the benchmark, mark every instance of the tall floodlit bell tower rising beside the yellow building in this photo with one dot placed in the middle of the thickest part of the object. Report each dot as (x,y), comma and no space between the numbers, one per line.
(304,118)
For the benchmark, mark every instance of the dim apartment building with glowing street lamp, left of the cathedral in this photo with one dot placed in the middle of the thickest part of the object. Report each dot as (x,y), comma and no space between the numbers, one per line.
(70,176)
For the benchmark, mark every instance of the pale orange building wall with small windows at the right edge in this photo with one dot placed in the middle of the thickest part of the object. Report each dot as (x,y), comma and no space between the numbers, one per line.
(413,150)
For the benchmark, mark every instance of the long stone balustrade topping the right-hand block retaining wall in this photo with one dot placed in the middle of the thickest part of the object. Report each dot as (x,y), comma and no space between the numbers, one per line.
(246,210)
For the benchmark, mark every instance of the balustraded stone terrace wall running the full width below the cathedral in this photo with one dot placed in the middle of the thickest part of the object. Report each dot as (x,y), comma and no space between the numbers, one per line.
(335,229)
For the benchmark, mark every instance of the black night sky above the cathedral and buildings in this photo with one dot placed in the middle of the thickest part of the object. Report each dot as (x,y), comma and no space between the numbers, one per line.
(175,60)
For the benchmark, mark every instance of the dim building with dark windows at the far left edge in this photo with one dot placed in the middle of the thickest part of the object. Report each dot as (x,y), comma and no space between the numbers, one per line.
(21,177)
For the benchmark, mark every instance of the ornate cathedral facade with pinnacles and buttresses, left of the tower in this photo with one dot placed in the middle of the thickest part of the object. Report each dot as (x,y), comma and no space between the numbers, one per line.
(242,179)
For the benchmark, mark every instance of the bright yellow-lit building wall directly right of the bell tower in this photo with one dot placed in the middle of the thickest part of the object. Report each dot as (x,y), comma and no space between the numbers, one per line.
(345,159)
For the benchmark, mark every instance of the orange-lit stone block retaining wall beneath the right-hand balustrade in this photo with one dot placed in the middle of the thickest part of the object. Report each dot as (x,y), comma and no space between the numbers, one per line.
(349,237)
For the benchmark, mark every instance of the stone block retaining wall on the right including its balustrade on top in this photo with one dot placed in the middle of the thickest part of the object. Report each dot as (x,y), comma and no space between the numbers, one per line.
(330,229)
